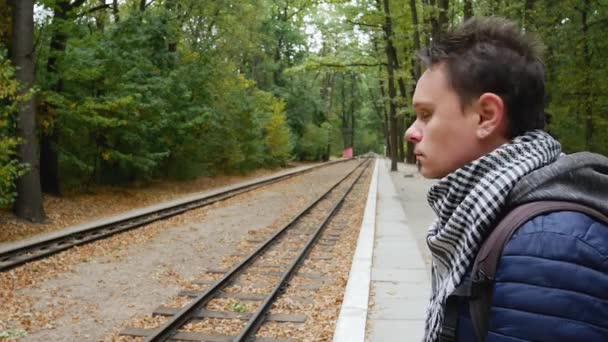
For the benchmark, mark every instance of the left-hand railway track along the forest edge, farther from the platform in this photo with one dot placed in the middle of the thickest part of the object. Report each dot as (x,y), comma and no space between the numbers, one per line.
(40,248)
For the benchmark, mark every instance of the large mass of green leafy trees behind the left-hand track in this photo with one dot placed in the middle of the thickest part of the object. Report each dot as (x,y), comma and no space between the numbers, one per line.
(131,109)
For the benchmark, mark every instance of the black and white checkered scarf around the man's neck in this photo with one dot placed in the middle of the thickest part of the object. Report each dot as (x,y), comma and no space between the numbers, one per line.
(467,202)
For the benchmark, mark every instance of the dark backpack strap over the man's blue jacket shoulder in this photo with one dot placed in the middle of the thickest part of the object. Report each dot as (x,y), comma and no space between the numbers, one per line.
(486,262)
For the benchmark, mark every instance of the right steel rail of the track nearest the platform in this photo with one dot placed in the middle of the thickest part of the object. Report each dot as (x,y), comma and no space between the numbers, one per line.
(257,318)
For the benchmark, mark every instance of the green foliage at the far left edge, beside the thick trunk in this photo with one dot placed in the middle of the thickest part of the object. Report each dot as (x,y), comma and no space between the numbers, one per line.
(10,168)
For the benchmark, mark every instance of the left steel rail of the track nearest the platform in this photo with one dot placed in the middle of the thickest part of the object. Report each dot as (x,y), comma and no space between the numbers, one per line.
(169,328)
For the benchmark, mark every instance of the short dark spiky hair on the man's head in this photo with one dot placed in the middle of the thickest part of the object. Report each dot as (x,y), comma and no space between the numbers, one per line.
(491,54)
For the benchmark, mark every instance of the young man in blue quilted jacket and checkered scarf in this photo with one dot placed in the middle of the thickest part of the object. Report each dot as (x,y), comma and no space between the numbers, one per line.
(479,118)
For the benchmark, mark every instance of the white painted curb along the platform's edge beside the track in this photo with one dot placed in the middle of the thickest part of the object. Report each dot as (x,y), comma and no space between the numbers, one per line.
(350,326)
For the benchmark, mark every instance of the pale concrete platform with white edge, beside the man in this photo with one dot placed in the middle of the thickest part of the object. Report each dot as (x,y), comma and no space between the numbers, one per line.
(389,283)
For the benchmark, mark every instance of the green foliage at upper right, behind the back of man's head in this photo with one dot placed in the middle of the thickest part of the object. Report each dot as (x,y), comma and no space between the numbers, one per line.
(577,74)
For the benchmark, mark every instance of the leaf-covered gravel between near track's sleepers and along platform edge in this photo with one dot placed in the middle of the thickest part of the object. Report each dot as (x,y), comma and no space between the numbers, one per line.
(315,293)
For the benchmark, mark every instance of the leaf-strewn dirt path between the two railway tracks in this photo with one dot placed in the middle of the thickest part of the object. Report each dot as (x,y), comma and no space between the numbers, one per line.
(85,293)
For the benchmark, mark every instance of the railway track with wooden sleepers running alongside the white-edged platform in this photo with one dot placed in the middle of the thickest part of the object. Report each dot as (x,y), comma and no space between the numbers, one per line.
(298,236)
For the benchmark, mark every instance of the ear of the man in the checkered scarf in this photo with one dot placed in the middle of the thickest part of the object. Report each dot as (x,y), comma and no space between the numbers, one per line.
(491,111)
